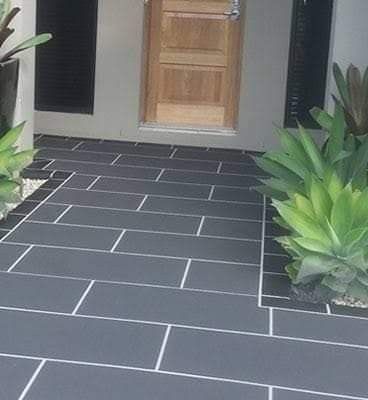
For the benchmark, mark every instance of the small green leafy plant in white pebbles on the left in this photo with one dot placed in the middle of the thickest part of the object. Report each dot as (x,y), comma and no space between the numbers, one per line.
(12,163)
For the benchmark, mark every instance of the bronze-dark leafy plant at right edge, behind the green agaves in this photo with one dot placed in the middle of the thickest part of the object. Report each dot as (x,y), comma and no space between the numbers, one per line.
(353,92)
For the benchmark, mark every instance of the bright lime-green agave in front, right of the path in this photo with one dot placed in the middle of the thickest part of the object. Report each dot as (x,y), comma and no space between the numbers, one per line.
(329,237)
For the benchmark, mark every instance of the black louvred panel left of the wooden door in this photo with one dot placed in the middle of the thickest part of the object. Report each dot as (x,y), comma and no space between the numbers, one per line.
(65,67)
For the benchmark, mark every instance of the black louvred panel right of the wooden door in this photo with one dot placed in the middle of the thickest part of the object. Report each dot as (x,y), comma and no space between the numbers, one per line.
(308,60)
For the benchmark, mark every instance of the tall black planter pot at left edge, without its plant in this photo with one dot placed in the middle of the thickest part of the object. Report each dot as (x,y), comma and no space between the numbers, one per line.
(9,74)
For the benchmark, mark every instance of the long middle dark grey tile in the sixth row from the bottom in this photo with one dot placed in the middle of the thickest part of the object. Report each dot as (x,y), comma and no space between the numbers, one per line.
(131,220)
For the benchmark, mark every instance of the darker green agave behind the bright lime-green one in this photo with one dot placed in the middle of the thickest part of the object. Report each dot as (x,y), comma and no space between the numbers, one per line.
(301,158)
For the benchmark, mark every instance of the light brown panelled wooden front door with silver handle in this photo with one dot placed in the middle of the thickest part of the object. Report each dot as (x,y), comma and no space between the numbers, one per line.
(193,64)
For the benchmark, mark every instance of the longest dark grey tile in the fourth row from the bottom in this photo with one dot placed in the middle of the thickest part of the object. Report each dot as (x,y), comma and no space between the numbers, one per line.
(103,266)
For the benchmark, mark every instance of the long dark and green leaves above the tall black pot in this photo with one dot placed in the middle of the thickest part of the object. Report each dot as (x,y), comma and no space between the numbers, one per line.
(7,14)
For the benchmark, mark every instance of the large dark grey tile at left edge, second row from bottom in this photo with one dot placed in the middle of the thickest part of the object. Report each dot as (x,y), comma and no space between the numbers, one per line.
(80,339)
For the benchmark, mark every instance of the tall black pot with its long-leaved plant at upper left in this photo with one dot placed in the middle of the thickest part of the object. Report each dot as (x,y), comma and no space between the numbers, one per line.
(9,66)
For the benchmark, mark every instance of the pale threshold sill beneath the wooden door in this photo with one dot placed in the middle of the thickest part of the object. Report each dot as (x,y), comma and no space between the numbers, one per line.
(187,130)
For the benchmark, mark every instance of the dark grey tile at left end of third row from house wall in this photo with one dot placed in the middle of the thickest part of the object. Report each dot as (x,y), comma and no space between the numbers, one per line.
(53,154)
